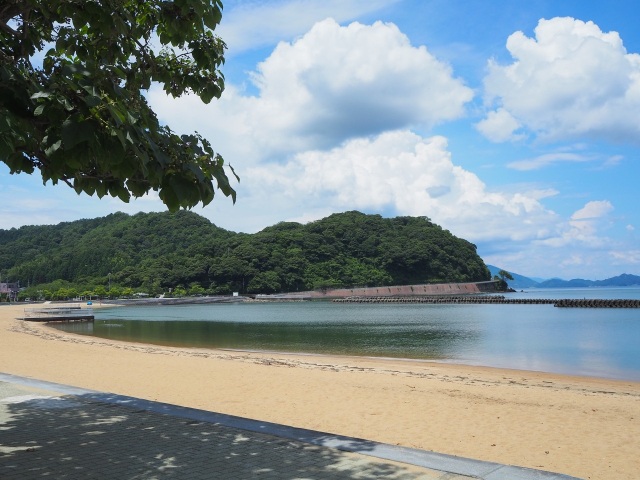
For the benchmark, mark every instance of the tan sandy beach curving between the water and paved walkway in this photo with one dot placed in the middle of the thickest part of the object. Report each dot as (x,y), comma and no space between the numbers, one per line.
(586,427)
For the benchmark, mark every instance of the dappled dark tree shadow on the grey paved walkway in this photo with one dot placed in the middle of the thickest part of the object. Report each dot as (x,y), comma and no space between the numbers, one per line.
(79,437)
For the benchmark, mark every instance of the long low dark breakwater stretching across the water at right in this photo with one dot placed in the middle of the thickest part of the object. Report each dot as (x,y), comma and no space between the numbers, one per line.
(496,299)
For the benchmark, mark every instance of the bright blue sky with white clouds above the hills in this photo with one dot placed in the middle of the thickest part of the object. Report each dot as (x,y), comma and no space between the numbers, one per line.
(513,124)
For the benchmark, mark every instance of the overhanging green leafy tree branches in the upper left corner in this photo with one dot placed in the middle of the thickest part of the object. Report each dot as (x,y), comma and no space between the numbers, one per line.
(72,78)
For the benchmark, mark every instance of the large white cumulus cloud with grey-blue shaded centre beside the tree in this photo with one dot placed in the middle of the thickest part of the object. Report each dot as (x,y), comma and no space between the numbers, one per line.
(332,84)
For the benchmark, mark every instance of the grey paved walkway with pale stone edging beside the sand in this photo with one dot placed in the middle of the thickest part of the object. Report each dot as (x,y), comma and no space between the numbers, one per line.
(54,431)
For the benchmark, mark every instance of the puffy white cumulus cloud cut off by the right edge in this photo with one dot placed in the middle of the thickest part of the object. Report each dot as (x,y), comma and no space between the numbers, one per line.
(571,81)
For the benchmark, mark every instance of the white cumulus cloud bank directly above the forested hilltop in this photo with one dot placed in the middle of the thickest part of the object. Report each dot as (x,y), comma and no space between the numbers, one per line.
(405,173)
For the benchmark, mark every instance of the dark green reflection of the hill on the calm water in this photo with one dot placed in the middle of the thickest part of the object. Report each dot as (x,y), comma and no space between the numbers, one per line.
(376,330)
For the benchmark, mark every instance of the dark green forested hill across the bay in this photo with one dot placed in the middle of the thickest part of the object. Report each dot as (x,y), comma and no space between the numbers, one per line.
(155,252)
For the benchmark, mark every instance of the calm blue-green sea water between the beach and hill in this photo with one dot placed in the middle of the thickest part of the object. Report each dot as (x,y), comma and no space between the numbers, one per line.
(581,341)
